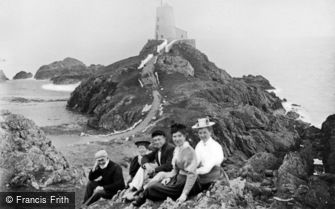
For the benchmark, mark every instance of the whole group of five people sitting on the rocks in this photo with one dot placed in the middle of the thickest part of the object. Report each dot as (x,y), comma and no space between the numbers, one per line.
(177,171)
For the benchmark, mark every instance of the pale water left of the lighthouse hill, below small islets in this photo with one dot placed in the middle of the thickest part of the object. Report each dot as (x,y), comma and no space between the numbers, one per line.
(38,100)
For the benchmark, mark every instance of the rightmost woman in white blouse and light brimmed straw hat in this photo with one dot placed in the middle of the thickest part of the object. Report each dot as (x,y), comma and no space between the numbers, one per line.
(209,154)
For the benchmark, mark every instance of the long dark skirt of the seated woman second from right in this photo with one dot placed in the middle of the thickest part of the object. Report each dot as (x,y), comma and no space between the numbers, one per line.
(173,189)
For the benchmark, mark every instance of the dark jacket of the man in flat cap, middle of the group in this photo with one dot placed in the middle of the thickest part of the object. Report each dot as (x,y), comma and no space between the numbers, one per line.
(166,158)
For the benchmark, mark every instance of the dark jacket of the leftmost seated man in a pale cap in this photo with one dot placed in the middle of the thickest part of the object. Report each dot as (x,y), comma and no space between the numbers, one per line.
(112,177)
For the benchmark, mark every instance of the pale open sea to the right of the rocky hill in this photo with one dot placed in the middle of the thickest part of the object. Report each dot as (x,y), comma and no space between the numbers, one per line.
(301,69)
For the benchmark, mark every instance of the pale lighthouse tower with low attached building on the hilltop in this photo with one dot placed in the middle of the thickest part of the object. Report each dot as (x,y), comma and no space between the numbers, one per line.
(165,24)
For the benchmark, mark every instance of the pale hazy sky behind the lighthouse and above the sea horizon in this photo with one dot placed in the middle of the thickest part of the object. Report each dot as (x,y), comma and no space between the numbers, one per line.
(38,32)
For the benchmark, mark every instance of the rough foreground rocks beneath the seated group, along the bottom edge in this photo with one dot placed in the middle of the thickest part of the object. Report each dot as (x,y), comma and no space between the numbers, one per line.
(224,194)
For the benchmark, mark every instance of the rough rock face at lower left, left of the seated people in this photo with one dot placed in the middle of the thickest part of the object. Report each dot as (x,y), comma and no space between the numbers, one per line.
(29,158)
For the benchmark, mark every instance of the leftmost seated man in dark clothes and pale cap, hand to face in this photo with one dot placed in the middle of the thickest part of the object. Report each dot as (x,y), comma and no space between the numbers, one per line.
(105,179)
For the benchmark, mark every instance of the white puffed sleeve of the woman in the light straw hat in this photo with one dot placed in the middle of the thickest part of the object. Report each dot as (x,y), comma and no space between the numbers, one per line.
(213,158)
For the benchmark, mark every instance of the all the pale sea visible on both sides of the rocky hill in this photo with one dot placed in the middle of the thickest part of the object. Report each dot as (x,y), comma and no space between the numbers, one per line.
(301,70)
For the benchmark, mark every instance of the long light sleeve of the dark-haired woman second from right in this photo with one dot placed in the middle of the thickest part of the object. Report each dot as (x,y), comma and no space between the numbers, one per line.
(190,166)
